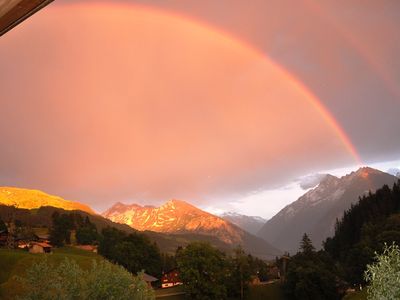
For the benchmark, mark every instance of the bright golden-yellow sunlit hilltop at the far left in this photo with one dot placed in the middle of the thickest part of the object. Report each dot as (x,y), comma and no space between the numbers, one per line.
(29,199)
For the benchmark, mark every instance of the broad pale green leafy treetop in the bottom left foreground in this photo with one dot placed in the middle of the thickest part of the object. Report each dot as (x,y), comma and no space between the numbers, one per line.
(68,281)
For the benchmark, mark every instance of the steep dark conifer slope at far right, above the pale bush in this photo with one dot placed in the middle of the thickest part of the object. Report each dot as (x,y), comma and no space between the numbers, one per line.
(363,230)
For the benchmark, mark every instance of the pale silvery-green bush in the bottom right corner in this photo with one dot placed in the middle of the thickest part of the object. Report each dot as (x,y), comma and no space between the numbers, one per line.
(383,276)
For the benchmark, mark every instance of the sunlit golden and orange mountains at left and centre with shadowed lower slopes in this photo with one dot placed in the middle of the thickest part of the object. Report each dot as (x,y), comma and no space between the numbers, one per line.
(174,224)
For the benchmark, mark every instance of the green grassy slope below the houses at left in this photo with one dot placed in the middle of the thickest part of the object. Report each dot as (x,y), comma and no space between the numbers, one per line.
(15,262)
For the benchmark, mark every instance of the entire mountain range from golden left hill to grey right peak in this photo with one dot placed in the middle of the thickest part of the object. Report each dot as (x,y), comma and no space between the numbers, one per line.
(176,222)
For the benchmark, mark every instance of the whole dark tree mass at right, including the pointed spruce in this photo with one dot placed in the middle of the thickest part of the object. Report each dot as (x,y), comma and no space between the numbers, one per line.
(364,230)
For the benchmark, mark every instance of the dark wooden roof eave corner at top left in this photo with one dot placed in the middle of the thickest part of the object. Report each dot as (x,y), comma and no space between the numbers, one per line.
(14,12)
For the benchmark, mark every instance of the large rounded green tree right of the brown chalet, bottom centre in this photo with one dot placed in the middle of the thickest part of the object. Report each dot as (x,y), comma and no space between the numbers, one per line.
(203,271)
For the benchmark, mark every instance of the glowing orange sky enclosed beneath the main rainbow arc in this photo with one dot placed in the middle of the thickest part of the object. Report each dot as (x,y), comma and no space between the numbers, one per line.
(115,102)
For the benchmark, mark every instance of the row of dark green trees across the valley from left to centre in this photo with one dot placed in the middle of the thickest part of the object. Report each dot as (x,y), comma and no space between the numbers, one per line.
(207,272)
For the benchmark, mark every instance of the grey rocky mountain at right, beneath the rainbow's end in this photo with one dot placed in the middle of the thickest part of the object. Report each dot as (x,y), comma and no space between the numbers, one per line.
(315,212)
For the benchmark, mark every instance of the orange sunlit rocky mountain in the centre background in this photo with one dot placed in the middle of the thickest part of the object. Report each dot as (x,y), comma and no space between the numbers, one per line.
(179,217)
